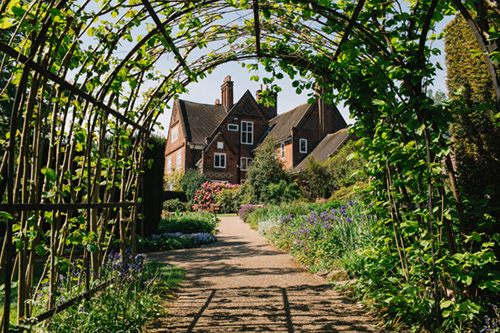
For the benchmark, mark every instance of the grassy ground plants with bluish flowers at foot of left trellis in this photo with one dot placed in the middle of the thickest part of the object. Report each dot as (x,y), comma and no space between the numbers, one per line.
(133,296)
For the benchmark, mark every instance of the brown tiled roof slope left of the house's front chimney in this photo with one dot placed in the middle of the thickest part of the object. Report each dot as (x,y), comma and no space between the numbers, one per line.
(201,119)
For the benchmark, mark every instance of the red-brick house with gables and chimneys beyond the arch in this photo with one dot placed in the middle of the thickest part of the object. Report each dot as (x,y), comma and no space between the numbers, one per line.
(219,139)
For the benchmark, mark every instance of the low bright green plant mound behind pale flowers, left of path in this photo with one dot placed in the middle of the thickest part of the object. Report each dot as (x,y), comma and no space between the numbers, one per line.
(188,223)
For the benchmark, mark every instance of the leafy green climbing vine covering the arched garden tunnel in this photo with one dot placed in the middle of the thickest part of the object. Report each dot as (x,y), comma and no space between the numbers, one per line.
(87,80)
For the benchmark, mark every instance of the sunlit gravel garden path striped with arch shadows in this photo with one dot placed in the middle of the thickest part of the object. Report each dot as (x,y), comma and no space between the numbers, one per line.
(242,284)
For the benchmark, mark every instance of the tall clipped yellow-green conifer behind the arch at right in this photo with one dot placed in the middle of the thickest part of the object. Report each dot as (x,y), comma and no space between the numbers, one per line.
(476,133)
